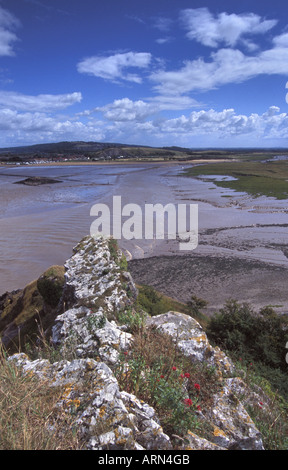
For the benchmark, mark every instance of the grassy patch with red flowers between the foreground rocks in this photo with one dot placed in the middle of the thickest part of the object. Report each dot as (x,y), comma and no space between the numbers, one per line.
(156,372)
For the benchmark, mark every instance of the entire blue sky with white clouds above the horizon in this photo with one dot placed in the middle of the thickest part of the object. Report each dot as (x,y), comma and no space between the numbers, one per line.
(162,72)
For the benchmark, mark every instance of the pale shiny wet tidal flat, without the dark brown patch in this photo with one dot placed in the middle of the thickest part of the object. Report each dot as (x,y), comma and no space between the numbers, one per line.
(39,225)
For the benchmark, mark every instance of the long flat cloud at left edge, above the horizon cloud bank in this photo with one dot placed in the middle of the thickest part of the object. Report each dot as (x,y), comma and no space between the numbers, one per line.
(44,102)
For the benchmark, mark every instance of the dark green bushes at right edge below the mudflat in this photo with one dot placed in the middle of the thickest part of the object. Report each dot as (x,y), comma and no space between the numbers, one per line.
(257,339)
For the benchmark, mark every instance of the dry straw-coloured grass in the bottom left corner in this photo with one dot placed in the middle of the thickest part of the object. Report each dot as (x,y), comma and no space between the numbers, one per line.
(29,419)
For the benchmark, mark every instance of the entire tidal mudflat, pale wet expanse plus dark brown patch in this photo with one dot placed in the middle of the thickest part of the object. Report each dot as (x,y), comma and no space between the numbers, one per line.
(242,246)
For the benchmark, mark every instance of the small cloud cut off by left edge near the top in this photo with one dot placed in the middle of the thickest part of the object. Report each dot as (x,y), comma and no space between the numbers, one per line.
(8,24)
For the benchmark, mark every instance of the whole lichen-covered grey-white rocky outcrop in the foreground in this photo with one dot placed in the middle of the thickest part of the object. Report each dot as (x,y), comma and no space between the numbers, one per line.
(90,340)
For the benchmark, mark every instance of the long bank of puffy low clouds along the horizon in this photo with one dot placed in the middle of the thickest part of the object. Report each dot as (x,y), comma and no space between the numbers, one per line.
(125,121)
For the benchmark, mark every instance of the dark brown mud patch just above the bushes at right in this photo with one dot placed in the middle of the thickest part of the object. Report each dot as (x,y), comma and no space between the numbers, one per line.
(215,279)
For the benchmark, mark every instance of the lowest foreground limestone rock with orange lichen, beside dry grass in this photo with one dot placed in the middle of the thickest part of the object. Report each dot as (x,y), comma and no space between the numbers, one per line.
(109,419)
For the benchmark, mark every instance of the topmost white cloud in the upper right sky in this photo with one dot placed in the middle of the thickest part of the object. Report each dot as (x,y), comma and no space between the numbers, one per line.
(228,29)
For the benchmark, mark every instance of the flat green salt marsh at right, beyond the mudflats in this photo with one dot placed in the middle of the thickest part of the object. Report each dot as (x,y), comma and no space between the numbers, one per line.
(254,177)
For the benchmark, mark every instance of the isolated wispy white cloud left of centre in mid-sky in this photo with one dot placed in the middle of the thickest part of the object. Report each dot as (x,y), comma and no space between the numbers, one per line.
(113,67)
